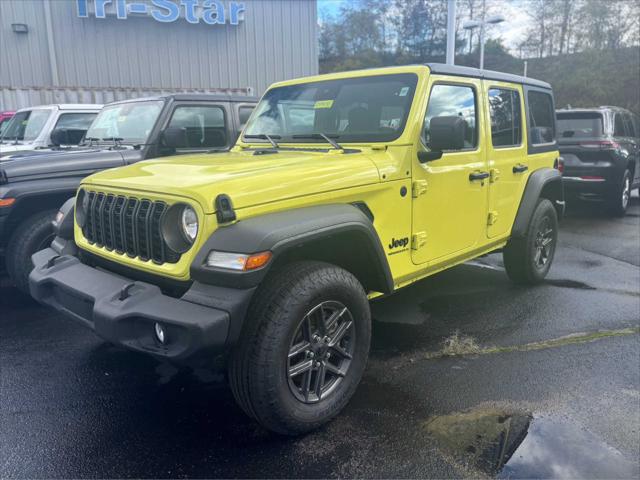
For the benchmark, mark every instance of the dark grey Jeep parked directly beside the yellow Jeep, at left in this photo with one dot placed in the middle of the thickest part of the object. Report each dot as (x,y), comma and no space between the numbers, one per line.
(33,187)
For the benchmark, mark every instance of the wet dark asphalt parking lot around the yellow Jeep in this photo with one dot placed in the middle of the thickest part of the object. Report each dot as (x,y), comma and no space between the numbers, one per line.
(546,383)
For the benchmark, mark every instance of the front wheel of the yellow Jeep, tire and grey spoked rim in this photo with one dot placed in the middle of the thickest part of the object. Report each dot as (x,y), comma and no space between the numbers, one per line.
(304,348)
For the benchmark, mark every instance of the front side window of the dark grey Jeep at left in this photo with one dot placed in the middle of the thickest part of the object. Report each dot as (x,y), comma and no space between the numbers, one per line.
(205,126)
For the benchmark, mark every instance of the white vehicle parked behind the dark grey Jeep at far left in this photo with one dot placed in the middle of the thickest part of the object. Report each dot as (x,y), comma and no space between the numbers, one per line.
(37,127)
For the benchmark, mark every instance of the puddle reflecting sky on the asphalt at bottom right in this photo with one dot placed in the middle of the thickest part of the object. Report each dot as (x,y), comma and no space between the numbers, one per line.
(521,445)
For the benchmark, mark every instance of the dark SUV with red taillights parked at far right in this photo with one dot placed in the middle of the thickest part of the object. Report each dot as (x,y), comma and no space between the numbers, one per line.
(600,148)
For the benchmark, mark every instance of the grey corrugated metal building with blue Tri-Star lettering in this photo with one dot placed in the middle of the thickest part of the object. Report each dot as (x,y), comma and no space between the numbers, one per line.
(97,51)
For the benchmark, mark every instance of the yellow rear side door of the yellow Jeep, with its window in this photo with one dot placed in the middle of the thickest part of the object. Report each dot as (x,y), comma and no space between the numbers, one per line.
(506,153)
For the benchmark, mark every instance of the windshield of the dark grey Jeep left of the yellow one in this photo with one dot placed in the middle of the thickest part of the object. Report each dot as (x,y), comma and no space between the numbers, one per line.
(131,122)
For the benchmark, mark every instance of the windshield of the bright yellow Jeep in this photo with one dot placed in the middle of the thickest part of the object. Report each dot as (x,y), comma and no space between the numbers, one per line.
(363,109)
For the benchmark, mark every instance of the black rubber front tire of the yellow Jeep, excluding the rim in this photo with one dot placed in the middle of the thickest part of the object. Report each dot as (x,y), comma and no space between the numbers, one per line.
(258,363)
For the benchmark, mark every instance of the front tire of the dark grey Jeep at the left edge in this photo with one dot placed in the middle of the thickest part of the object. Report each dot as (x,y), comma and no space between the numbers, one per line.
(30,236)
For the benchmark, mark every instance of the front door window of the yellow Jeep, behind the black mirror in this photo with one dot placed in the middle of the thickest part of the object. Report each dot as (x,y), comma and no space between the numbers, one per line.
(453,100)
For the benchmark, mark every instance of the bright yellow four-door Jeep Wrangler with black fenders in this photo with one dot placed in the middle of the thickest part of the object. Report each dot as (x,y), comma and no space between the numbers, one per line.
(342,188)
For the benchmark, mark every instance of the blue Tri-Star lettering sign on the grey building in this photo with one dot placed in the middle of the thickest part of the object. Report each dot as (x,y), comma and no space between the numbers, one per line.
(211,12)
